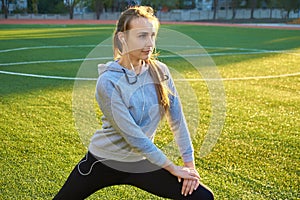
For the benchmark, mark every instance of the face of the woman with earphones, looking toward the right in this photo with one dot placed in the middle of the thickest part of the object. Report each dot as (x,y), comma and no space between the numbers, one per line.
(140,39)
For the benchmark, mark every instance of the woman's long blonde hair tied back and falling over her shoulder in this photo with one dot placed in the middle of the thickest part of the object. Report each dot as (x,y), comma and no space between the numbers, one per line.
(156,72)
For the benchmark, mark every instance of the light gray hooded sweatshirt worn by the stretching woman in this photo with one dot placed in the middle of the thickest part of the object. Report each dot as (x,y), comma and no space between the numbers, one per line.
(131,114)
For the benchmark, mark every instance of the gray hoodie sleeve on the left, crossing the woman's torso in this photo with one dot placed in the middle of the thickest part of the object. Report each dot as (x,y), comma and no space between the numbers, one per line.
(113,107)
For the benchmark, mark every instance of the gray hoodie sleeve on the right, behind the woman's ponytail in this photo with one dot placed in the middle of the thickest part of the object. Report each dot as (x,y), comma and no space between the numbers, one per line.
(177,121)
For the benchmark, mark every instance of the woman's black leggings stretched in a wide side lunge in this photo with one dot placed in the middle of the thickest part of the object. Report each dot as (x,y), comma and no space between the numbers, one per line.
(94,175)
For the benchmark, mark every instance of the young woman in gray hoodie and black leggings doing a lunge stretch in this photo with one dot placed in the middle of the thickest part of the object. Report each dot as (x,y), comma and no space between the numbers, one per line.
(134,92)
